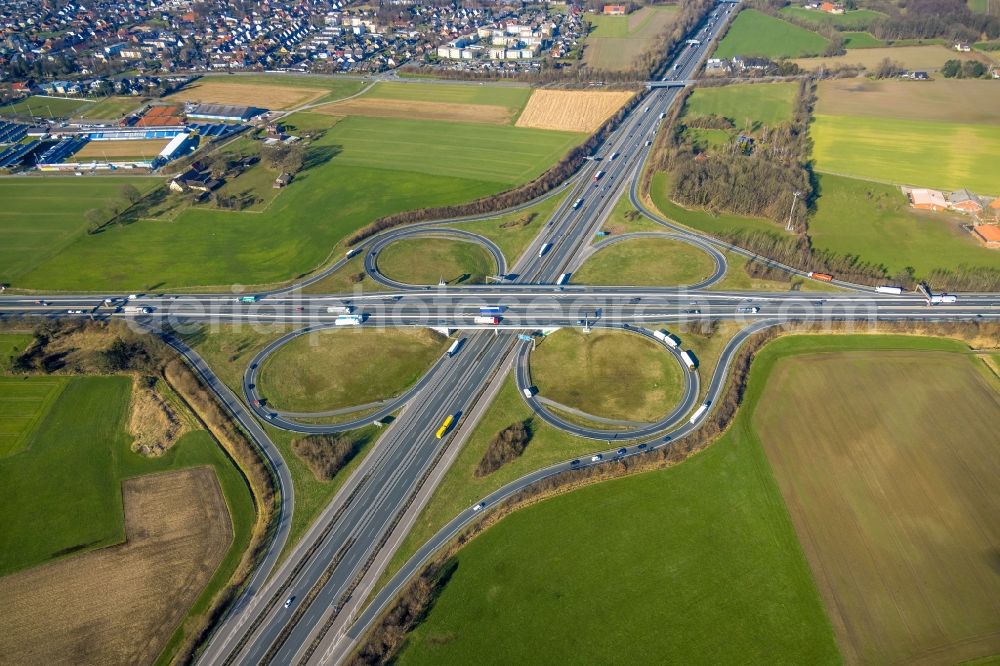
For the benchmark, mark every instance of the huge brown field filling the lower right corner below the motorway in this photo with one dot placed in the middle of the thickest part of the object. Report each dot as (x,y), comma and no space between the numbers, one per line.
(887,462)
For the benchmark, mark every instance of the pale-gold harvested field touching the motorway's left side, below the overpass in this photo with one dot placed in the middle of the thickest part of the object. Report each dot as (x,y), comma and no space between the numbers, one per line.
(571,110)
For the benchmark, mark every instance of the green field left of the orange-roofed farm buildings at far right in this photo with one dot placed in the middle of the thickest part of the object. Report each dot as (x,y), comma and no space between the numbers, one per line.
(874,222)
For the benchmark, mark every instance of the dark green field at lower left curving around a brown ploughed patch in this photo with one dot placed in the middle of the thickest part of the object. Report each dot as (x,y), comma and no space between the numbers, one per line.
(75,454)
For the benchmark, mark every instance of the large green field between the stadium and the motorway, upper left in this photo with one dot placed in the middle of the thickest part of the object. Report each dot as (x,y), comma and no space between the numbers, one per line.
(366,168)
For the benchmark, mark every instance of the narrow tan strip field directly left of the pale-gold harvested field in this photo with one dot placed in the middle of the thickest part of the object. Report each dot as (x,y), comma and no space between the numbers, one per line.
(418,110)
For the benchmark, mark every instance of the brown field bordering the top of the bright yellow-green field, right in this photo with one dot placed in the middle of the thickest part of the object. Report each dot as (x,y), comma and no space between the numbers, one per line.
(946,100)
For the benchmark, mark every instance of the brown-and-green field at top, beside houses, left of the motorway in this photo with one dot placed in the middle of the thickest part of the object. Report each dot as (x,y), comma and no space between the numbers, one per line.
(616,41)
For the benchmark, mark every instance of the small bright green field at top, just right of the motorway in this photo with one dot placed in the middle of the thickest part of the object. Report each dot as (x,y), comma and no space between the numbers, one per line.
(754,33)
